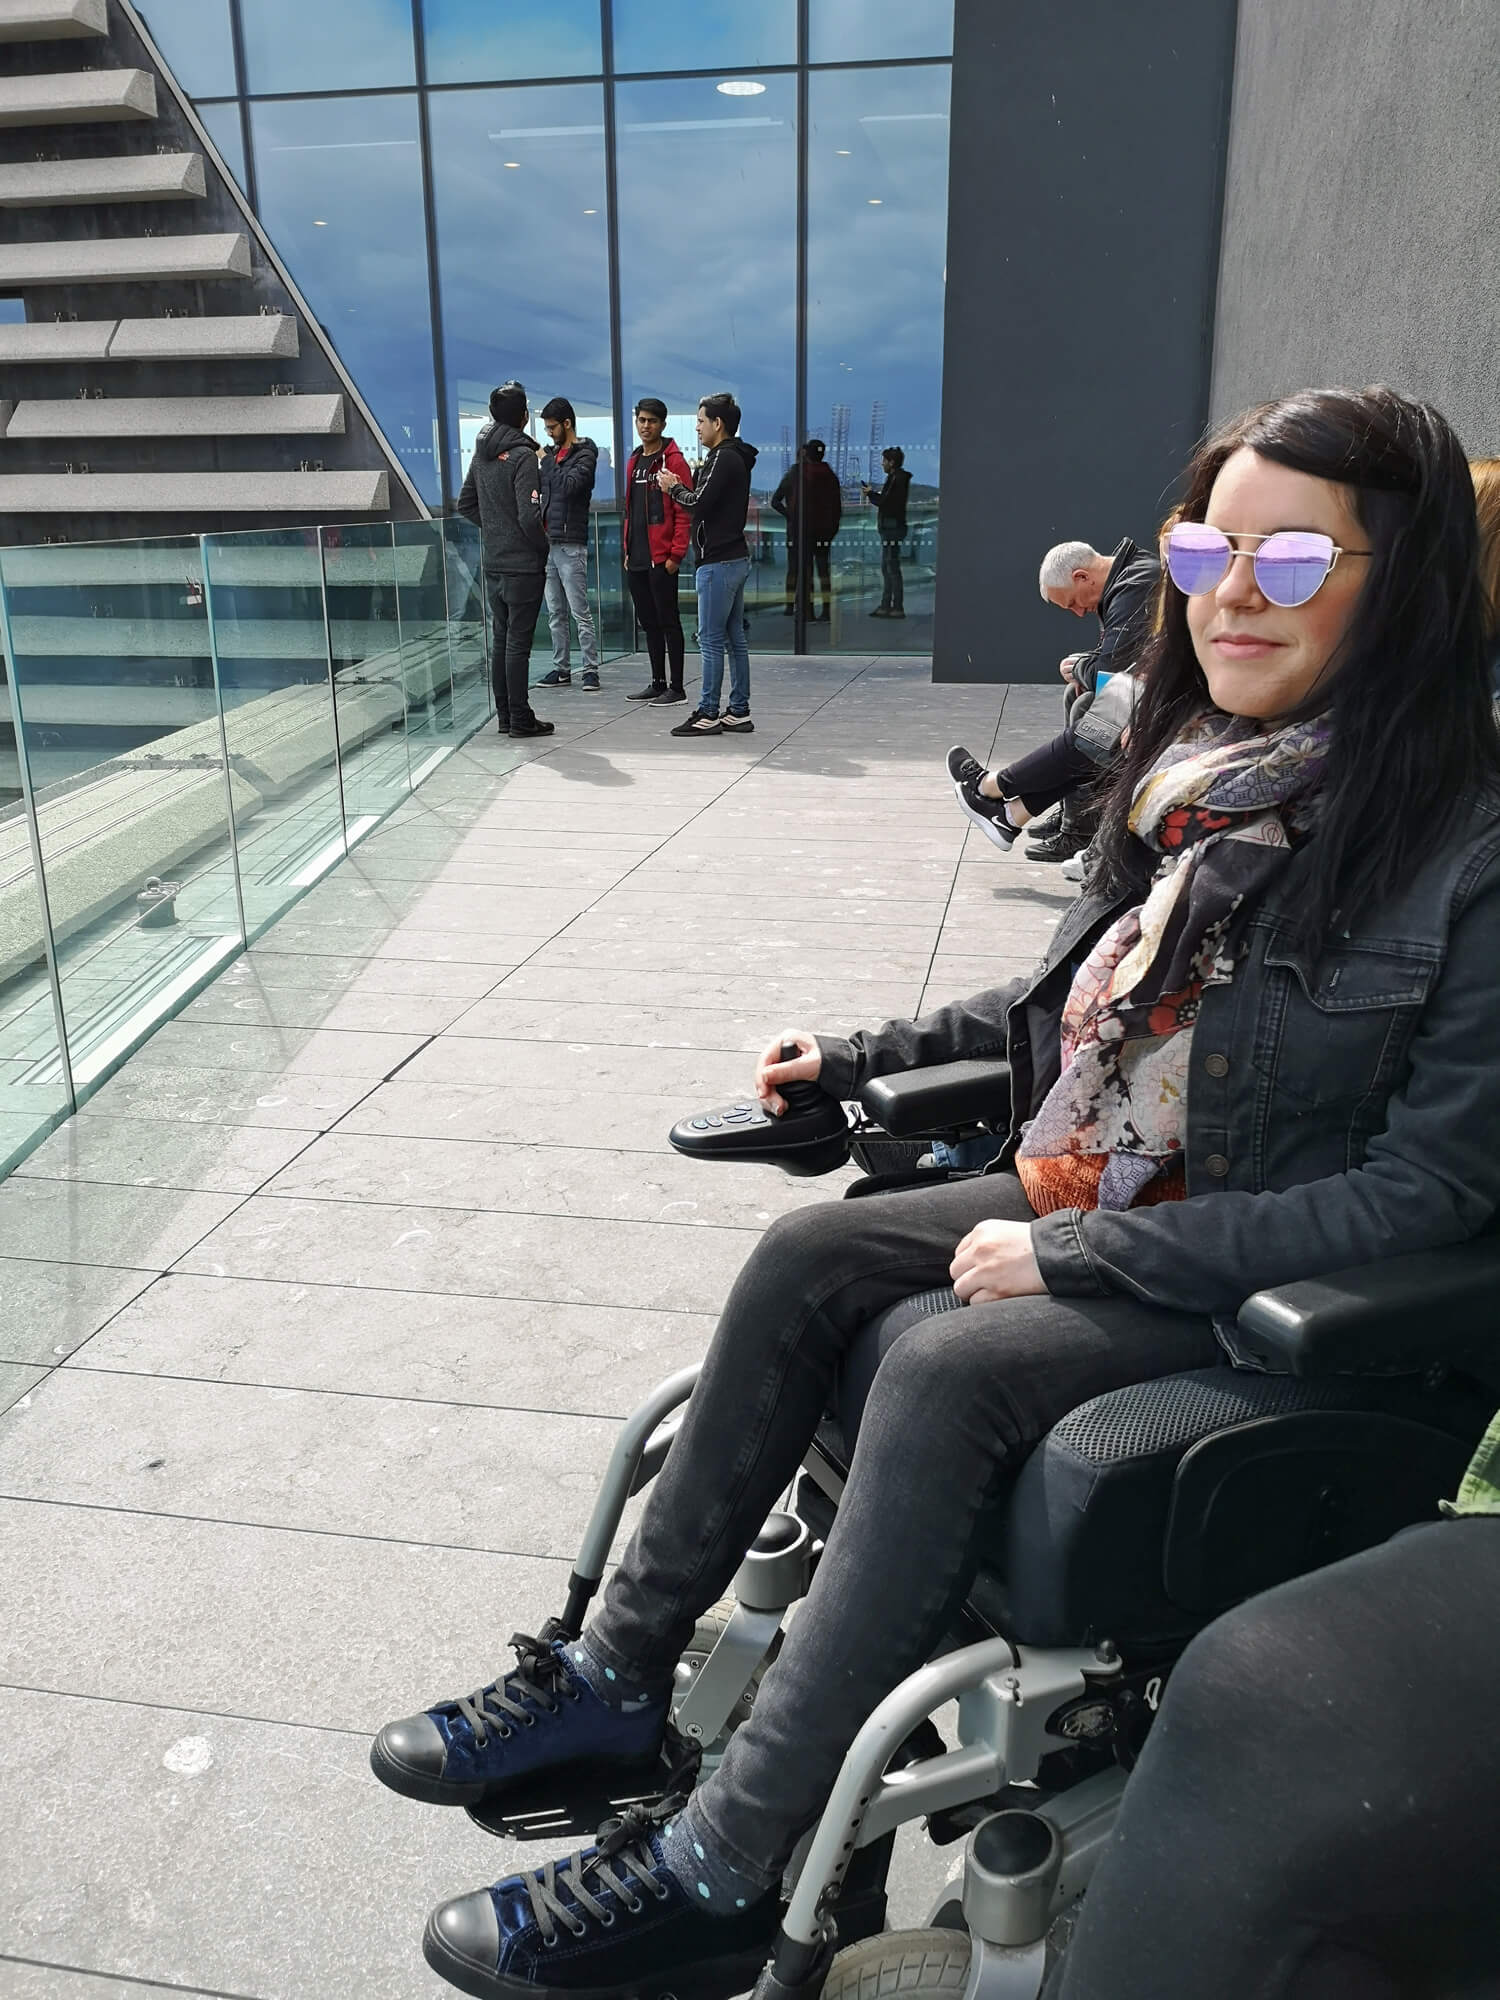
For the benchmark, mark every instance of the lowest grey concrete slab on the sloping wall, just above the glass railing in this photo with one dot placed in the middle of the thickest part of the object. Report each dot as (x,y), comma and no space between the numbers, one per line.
(193,493)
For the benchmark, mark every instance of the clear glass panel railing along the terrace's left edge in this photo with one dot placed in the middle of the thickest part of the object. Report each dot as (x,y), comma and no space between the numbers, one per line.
(193,733)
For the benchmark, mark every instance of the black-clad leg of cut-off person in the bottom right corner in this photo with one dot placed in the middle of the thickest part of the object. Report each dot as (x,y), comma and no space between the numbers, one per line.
(1313,1817)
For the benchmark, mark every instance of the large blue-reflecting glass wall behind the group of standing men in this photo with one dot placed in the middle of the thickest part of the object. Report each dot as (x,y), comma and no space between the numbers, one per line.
(619,199)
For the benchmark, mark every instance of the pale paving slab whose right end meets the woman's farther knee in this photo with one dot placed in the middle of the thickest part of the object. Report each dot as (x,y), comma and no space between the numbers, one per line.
(385,1245)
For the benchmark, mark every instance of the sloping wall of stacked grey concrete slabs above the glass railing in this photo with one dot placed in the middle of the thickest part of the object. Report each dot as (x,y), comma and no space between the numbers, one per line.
(167,377)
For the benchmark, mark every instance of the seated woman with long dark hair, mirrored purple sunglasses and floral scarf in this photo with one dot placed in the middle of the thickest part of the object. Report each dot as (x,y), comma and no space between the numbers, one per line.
(1263,1047)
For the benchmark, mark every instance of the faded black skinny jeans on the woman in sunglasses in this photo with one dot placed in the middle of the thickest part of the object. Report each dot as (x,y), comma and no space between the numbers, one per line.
(957,1403)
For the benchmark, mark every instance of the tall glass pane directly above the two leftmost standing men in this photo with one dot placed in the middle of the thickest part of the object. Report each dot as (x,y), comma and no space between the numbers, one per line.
(519,191)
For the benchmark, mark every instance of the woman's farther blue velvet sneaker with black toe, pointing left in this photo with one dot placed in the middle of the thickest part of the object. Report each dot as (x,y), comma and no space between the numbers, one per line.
(543,1717)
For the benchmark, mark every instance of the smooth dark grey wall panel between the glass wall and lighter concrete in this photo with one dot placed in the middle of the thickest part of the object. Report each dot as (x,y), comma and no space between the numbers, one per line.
(1083,257)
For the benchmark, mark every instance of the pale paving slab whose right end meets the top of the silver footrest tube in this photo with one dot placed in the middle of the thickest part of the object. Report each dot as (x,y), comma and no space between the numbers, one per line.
(431,1347)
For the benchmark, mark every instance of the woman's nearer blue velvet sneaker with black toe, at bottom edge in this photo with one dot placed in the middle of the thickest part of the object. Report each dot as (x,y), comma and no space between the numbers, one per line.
(607,1921)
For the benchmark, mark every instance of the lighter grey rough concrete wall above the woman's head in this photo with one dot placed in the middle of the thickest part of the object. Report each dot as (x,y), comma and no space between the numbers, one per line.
(1363,205)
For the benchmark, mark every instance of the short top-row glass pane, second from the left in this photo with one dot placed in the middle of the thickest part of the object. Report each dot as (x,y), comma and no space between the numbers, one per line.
(327,45)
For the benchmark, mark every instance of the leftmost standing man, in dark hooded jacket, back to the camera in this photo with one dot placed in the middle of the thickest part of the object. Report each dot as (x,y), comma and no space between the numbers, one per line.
(503,493)
